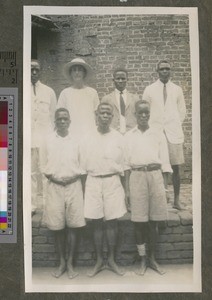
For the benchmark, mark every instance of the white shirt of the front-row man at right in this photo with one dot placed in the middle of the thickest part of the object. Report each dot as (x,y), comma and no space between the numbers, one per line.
(144,148)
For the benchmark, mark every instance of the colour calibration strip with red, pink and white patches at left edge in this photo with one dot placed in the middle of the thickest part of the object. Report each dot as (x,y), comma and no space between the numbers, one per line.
(8,164)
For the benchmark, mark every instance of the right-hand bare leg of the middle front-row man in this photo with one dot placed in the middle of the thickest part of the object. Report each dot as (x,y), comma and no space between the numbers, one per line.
(112,234)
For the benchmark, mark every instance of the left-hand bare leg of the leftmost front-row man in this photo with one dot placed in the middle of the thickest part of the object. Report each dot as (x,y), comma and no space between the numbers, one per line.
(60,243)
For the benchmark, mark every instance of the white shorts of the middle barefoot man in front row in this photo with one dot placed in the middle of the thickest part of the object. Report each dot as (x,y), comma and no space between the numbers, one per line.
(104,198)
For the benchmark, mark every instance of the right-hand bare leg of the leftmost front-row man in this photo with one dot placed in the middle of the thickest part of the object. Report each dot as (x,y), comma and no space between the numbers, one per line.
(72,240)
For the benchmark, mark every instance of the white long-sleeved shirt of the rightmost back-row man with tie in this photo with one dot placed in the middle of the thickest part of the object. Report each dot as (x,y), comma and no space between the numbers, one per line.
(168,116)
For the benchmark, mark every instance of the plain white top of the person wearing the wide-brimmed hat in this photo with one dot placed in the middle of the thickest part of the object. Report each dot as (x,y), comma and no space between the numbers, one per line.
(81,104)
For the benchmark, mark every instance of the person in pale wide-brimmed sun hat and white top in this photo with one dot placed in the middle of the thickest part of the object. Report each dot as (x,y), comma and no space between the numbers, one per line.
(80,99)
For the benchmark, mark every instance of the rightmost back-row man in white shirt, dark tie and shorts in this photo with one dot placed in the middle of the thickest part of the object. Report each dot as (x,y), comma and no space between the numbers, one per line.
(168,112)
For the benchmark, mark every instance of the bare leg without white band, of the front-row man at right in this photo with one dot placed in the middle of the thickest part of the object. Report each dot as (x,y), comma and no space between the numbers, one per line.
(152,247)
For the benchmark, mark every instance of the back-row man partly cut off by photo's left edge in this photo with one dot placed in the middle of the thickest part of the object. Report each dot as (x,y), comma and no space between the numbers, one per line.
(43,105)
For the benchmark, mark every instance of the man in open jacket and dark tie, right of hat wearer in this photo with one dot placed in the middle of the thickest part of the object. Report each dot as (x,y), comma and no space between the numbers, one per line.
(122,101)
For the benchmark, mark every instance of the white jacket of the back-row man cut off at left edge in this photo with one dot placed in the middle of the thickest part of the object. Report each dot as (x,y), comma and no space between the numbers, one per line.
(43,107)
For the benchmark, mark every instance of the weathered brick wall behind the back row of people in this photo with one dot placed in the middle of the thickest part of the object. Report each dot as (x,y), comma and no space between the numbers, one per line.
(137,42)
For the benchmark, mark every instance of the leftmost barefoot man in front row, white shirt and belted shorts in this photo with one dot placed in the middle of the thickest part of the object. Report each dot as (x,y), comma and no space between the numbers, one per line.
(64,201)
